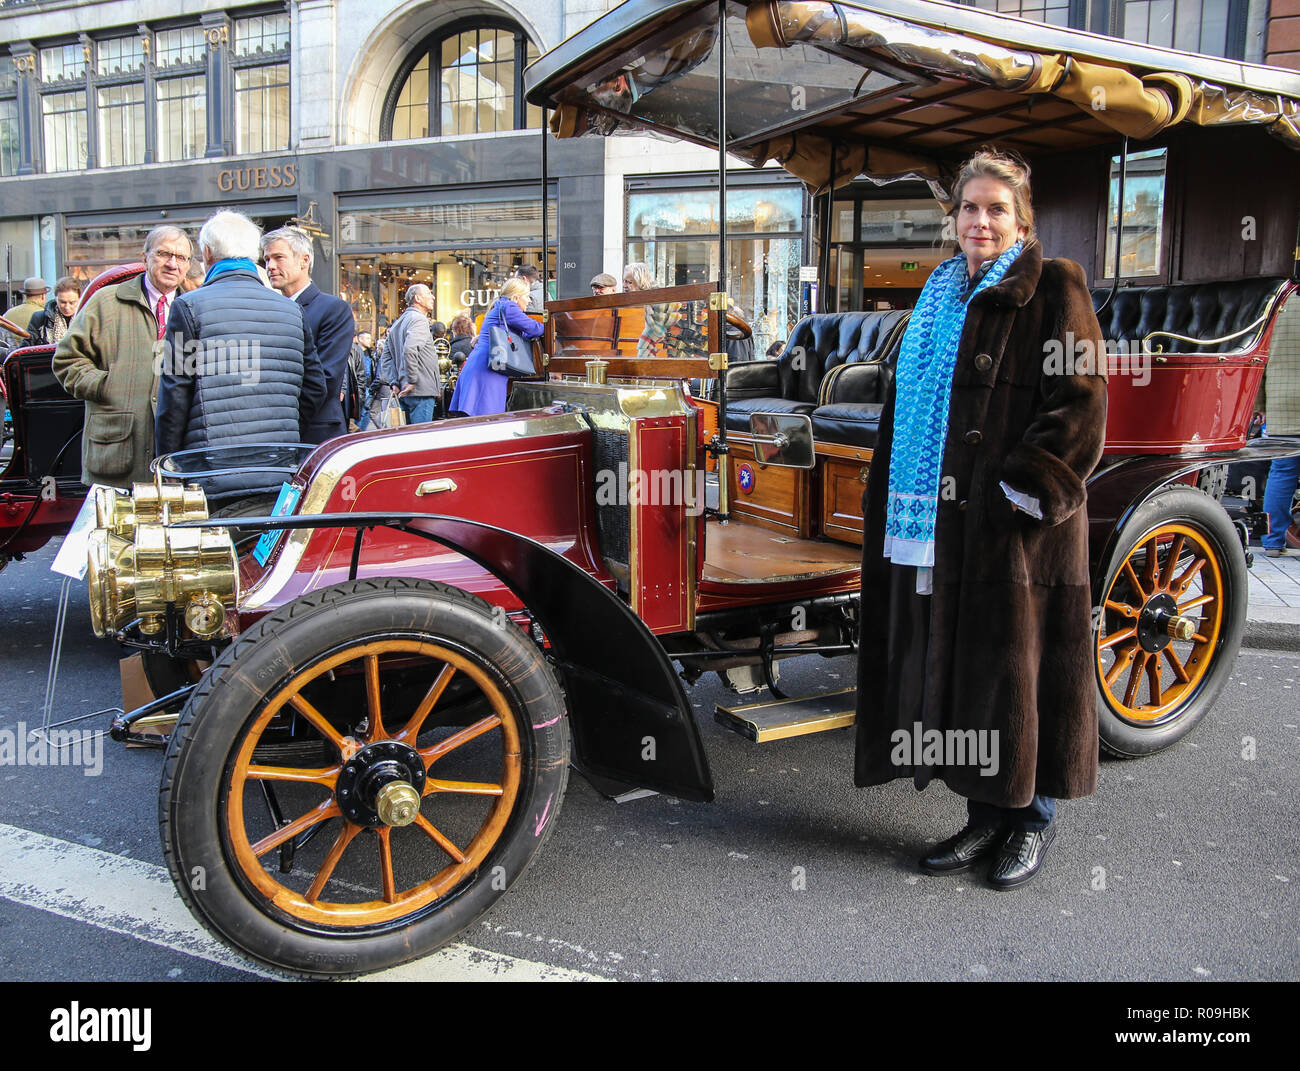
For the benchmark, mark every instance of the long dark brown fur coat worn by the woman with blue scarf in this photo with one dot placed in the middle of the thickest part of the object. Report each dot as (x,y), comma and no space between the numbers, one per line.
(1011,640)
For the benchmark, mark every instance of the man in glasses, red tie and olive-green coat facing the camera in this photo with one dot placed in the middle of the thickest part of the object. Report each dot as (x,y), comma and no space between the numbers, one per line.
(109,359)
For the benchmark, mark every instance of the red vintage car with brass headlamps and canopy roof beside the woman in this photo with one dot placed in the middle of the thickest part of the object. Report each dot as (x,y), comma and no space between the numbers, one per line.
(383,684)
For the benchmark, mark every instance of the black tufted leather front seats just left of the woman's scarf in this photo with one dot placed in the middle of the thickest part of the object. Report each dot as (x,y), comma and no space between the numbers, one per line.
(820,348)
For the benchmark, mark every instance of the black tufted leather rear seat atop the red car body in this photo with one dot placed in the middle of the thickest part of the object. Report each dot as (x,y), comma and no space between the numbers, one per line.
(1204,310)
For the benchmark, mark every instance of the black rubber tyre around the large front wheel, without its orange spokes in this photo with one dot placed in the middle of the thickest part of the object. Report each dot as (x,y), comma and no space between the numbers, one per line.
(218,717)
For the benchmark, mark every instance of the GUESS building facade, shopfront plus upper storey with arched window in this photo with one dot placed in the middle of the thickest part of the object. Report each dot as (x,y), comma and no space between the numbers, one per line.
(397,131)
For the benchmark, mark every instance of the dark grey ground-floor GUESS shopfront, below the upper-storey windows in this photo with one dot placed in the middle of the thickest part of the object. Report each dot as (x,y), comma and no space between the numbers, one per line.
(432,214)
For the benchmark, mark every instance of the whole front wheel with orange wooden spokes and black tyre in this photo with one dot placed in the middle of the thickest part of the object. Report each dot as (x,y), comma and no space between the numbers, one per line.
(443,755)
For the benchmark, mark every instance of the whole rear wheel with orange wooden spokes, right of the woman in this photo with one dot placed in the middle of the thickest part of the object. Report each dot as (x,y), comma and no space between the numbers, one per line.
(1171,622)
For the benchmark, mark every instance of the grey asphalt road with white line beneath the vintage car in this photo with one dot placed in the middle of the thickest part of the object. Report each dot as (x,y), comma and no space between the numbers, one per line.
(1182,868)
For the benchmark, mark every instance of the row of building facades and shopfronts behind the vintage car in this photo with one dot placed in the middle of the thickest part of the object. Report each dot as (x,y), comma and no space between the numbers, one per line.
(398,131)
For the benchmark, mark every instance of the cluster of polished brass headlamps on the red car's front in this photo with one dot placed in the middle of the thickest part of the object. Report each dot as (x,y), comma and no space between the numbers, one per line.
(140,565)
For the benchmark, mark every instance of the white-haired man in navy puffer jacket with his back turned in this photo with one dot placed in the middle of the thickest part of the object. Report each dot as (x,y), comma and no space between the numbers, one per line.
(239,362)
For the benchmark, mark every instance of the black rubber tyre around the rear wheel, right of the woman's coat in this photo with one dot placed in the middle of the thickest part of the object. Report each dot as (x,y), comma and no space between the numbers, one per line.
(1188,506)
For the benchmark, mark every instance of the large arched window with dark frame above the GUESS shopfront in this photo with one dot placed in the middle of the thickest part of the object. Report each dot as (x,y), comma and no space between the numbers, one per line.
(469,79)
